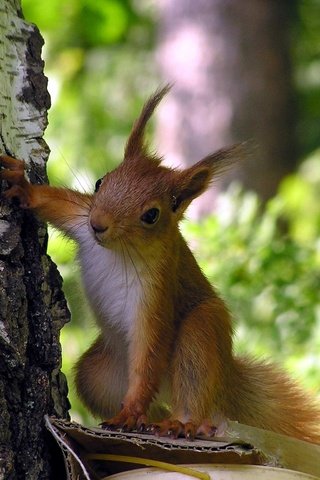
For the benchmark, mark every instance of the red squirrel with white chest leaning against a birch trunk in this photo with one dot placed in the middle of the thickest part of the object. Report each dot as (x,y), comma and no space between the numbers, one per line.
(165,334)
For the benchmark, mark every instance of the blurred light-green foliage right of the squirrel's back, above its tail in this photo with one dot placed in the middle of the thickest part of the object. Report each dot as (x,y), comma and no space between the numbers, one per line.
(266,264)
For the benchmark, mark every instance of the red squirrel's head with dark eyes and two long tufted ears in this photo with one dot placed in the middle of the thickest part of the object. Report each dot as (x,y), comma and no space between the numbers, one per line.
(141,201)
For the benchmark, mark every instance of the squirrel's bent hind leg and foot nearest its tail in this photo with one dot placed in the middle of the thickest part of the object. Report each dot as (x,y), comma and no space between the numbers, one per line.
(200,373)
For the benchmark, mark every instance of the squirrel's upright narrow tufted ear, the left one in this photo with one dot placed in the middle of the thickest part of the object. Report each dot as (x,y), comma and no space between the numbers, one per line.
(135,144)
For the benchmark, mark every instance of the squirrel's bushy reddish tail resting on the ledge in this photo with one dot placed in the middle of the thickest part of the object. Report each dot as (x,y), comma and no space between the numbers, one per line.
(265,397)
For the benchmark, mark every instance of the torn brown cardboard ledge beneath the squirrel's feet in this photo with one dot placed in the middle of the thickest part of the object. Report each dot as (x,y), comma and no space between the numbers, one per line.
(243,445)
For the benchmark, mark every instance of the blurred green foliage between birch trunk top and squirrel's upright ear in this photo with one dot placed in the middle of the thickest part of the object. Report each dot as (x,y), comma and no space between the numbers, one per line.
(98,60)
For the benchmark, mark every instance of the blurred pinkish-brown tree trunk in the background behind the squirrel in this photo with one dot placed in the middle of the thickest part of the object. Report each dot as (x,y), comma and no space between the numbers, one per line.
(230,64)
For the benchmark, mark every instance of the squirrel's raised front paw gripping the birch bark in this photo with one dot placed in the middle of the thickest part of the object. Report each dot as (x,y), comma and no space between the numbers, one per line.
(13,173)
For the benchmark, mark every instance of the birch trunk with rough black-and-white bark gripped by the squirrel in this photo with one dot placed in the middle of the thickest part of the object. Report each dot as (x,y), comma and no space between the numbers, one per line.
(32,305)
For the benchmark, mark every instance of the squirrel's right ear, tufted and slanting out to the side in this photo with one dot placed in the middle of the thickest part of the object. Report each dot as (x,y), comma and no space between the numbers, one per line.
(193,181)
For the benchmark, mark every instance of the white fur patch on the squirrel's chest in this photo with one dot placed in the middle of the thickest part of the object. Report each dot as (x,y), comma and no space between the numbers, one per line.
(112,284)
